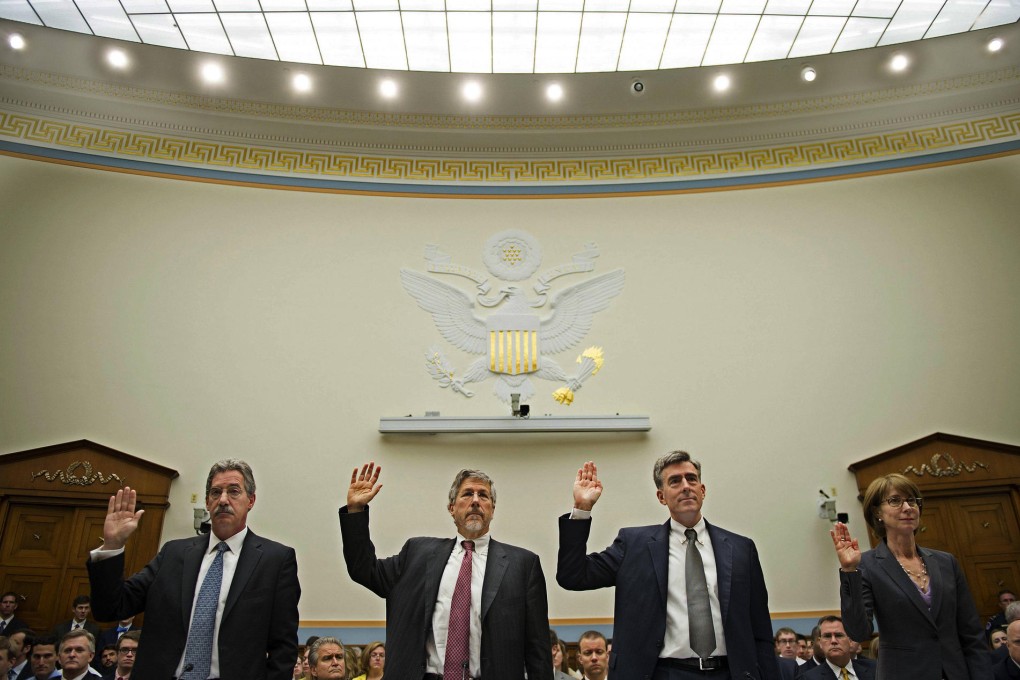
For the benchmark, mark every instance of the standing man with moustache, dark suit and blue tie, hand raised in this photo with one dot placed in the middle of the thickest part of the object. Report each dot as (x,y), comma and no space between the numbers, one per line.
(192,632)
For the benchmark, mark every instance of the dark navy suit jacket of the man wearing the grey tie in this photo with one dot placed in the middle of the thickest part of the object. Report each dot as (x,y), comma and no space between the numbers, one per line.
(637,564)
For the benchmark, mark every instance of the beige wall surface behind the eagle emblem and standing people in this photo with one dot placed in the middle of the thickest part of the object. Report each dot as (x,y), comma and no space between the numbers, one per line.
(779,335)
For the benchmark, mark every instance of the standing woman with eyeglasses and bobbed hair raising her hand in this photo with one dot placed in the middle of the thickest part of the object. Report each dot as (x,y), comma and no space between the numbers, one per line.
(920,597)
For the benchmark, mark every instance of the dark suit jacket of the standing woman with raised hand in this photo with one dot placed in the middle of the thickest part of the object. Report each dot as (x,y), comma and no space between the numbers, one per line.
(914,643)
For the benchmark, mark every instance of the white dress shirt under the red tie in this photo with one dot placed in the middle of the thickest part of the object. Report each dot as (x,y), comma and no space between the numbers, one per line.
(436,647)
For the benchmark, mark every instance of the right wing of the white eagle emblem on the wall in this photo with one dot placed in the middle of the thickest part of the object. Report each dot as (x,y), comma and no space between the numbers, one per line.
(574,309)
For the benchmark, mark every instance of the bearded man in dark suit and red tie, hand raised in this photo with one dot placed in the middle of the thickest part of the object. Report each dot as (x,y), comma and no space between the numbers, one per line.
(456,608)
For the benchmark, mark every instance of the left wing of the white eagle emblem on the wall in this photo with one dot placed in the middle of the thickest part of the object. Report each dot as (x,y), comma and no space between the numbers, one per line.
(451,309)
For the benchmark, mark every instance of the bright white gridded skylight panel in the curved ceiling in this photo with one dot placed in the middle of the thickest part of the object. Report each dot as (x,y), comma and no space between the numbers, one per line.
(518,36)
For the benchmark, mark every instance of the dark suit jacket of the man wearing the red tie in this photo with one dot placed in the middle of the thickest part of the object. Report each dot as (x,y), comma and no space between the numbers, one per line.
(515,608)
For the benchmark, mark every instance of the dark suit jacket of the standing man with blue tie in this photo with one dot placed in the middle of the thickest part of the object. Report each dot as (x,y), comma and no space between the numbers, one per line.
(259,632)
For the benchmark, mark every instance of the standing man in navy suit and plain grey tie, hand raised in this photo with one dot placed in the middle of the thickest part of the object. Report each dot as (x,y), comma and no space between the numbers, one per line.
(729,633)
